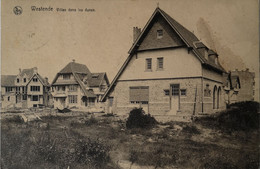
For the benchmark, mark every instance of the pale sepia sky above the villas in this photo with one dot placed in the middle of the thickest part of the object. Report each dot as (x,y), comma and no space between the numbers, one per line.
(101,39)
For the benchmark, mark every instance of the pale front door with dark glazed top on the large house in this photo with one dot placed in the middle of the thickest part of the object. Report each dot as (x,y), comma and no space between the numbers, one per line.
(175,98)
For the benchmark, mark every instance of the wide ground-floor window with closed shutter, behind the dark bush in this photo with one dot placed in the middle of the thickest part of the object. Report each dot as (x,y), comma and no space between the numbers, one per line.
(139,94)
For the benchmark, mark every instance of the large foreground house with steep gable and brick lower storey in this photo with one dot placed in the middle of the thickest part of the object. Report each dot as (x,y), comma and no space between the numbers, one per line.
(168,72)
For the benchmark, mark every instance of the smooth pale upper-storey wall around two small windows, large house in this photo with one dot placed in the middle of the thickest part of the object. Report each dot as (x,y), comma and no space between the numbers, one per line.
(177,63)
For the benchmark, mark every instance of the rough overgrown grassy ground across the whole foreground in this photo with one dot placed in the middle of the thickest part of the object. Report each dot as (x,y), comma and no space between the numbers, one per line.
(93,142)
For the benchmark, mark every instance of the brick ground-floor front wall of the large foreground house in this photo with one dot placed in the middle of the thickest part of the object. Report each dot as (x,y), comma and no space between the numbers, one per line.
(159,104)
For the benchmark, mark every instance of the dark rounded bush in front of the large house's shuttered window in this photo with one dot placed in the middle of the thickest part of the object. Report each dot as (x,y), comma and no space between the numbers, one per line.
(138,119)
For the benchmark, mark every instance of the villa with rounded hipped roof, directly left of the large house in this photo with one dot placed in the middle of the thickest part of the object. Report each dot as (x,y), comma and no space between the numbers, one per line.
(76,86)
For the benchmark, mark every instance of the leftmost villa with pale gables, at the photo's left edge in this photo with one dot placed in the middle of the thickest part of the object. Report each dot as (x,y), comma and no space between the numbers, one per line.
(29,89)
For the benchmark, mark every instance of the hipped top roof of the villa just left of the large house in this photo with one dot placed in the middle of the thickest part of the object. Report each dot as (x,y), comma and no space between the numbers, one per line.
(75,67)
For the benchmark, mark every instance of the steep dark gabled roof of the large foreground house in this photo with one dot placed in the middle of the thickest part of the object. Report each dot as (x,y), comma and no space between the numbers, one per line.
(186,36)
